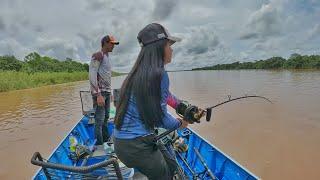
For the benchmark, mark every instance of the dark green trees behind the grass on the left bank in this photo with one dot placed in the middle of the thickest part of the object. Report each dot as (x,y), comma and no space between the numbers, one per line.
(33,62)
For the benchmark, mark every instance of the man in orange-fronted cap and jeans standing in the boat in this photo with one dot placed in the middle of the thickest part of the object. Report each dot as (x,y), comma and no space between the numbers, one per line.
(100,85)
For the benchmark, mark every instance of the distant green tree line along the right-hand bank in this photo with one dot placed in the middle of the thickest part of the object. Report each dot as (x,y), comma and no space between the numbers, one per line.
(296,61)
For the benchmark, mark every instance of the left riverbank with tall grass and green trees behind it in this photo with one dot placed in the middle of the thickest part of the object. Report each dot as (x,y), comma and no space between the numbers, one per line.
(36,71)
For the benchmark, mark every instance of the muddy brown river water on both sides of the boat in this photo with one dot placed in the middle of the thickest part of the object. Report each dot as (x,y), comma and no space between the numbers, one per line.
(274,141)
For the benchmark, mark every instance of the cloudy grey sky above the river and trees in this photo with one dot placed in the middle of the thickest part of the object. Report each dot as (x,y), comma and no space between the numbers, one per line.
(212,31)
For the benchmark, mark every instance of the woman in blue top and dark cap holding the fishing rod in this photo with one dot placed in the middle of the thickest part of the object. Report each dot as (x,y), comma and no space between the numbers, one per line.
(142,107)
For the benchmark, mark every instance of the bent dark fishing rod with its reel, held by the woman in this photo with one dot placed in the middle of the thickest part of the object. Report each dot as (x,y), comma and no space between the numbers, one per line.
(192,113)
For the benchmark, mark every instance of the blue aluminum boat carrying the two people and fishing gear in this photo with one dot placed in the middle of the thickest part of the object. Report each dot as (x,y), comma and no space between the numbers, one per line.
(200,160)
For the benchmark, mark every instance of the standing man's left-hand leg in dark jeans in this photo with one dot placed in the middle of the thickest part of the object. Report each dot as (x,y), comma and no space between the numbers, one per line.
(99,118)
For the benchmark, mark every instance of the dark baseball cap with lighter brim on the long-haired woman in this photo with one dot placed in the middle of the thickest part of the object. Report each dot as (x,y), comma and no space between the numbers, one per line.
(154,32)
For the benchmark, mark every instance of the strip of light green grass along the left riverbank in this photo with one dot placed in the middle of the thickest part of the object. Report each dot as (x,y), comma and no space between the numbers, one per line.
(11,80)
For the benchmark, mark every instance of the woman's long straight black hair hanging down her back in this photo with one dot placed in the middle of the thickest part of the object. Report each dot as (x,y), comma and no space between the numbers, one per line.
(144,83)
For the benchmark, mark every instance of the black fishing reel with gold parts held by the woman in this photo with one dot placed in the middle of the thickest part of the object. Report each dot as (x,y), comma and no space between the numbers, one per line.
(192,113)
